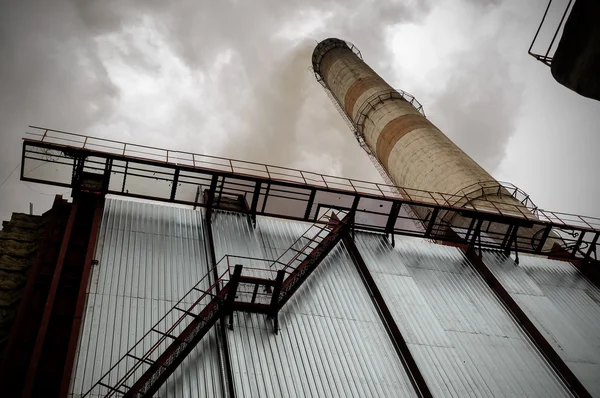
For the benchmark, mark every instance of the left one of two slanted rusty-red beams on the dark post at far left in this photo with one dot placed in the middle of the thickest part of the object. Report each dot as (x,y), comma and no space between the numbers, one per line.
(39,343)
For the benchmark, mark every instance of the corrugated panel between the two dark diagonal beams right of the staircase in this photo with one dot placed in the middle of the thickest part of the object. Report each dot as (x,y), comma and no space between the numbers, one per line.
(464,341)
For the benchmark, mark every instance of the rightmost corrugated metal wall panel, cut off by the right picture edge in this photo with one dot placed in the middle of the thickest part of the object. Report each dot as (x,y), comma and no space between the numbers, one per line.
(563,305)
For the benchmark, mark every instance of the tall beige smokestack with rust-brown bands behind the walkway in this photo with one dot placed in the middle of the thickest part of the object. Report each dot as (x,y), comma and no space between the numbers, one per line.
(413,151)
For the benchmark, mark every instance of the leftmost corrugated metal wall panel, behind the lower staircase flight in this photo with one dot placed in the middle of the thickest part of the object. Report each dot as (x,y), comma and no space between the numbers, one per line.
(149,257)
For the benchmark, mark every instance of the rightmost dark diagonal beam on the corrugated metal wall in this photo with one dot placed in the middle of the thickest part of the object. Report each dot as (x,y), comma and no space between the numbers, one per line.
(543,346)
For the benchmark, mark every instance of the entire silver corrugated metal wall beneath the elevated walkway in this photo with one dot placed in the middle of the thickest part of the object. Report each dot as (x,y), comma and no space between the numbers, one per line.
(331,340)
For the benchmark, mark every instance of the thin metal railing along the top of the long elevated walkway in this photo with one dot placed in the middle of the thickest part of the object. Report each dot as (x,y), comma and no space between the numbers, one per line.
(67,140)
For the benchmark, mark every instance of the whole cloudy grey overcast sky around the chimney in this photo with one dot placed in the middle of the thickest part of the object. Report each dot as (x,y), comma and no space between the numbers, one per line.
(232,78)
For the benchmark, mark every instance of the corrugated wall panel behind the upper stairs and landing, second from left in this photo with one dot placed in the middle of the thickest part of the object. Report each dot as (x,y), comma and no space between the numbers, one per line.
(331,342)
